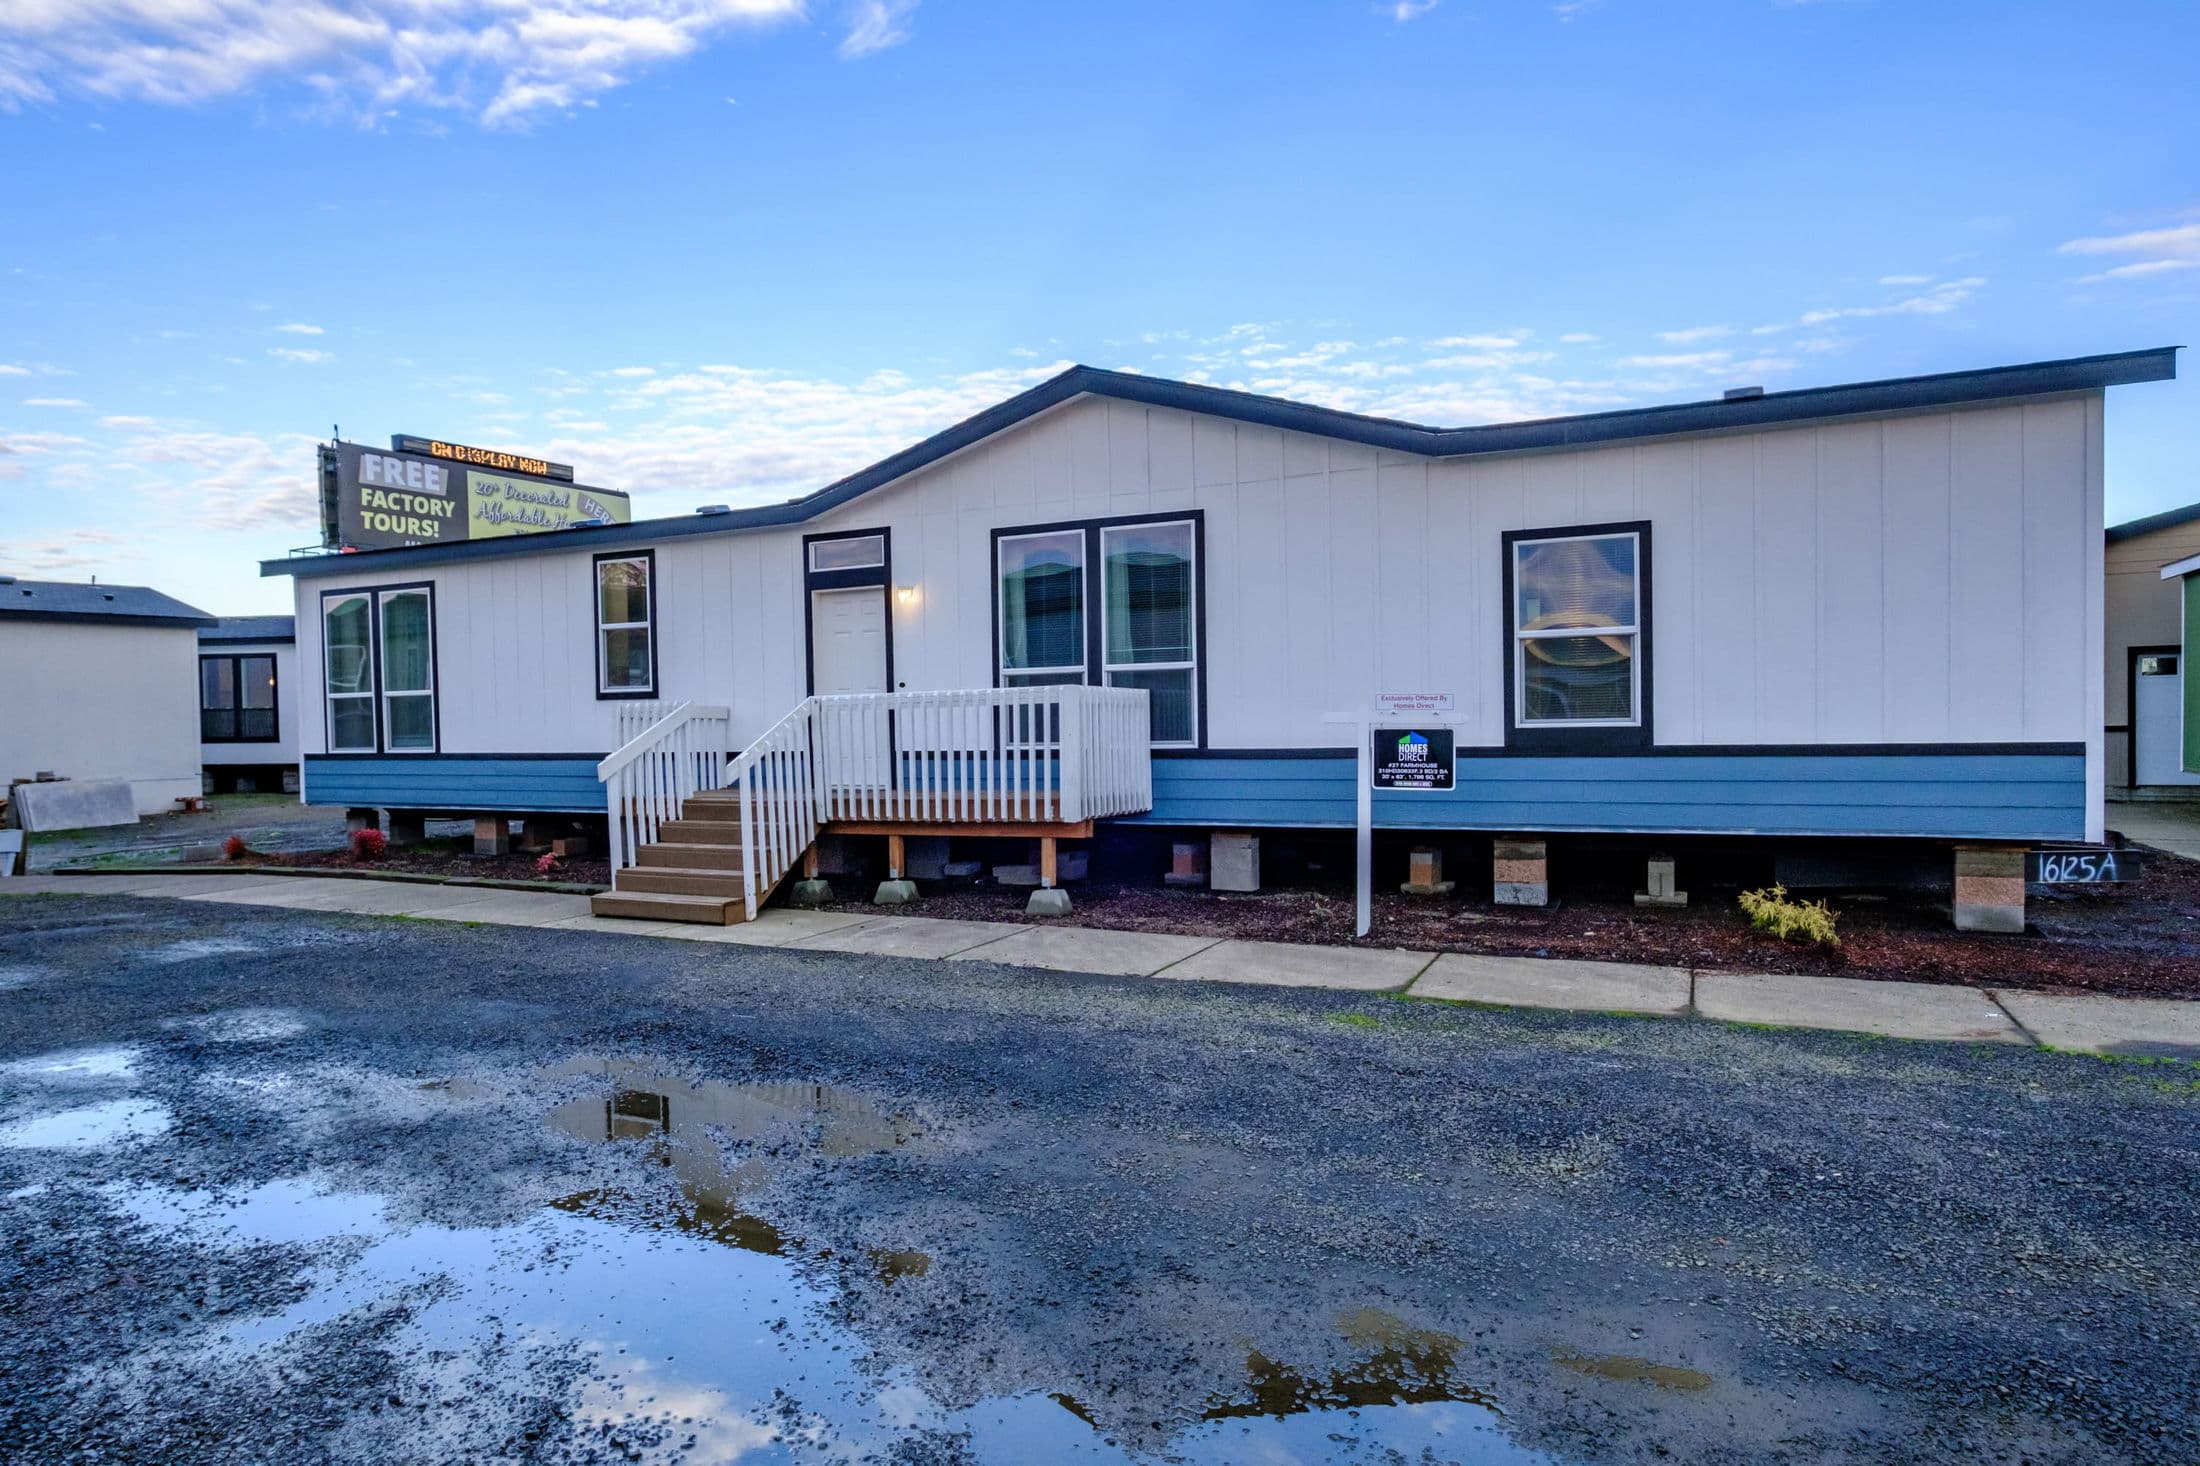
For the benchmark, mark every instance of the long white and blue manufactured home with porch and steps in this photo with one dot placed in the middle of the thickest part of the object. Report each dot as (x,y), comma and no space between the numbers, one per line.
(1842,613)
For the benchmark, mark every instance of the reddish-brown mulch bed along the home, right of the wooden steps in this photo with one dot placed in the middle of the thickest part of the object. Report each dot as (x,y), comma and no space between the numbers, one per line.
(2137,941)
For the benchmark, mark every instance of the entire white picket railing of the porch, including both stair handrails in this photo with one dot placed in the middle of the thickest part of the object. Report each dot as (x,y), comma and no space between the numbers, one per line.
(989,756)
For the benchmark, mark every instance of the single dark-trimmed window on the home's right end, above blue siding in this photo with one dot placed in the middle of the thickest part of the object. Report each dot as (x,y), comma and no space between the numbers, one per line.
(1578,628)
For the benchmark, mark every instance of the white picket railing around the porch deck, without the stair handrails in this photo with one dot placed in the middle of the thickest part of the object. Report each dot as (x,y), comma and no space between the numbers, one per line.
(987,756)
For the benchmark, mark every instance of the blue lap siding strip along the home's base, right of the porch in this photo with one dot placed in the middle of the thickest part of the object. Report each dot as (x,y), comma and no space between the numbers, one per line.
(1952,796)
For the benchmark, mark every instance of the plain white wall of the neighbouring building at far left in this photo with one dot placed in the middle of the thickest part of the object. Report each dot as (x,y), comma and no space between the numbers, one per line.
(102,703)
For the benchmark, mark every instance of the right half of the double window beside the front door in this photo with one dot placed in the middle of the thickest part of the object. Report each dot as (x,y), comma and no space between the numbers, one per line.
(1147,622)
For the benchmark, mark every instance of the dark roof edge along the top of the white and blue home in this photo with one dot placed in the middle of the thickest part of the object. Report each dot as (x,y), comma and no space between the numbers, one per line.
(1774,408)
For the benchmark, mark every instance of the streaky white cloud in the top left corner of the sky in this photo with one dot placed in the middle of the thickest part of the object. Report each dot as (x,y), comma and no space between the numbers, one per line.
(503,61)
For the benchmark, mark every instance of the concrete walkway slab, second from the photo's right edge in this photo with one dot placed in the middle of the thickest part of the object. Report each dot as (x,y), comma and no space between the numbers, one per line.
(1856,1005)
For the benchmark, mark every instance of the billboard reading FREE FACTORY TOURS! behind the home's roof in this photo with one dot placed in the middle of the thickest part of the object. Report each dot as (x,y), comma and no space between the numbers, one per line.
(390,499)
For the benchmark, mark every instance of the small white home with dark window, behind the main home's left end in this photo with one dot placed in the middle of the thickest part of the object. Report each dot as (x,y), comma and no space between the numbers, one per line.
(247,703)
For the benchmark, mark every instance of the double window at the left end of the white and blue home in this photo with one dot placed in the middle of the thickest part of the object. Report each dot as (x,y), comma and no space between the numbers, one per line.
(379,657)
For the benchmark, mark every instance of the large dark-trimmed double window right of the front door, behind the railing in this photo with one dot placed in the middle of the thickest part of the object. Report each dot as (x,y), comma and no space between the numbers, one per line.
(1105,602)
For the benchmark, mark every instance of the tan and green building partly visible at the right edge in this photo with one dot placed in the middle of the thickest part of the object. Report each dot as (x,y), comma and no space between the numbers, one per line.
(2146,657)
